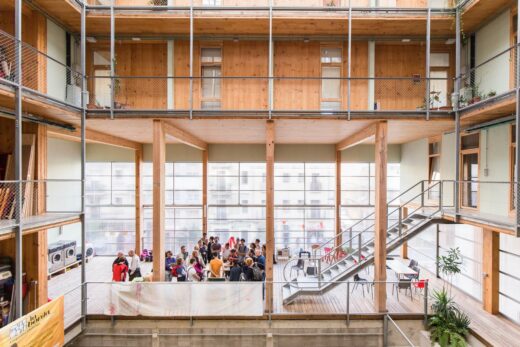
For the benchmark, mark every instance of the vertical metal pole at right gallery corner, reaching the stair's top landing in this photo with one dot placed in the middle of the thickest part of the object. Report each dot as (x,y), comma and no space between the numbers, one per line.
(457,114)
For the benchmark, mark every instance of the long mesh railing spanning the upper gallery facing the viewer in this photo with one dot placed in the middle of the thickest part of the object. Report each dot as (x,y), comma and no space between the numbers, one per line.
(250,94)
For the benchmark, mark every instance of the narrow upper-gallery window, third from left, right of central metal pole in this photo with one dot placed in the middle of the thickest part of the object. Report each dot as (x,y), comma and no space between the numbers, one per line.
(331,82)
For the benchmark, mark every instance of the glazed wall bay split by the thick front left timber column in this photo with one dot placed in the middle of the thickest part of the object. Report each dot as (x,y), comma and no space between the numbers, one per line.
(183,200)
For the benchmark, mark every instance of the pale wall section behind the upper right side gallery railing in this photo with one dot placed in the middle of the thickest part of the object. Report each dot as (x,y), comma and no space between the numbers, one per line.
(490,40)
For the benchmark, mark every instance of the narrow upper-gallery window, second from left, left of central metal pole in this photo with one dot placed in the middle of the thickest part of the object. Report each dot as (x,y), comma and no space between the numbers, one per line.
(211,69)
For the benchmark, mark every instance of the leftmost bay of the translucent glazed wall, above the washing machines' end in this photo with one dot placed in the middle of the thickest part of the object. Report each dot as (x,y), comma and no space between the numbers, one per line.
(110,206)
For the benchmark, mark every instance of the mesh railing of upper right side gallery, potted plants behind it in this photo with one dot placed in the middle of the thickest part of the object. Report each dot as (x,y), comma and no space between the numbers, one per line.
(493,78)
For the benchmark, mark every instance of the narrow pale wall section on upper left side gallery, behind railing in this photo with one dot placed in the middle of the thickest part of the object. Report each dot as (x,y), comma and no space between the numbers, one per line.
(56,49)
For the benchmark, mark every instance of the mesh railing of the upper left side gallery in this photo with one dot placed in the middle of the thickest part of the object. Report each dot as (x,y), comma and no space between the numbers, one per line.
(41,74)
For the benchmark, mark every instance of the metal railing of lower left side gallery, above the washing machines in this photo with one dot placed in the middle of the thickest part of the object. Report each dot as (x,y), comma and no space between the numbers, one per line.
(38,197)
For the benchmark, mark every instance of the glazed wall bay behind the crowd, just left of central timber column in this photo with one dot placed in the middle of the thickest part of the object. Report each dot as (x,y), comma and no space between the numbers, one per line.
(236,200)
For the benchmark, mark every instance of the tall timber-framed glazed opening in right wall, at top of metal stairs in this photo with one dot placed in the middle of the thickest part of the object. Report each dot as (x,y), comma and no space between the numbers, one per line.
(470,170)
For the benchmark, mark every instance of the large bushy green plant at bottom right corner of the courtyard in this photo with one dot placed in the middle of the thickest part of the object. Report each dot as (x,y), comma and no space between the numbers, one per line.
(448,325)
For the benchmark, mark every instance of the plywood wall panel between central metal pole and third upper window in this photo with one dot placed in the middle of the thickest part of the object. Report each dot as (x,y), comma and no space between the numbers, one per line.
(297,59)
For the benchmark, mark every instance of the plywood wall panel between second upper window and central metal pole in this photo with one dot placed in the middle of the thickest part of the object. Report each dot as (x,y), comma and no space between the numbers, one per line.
(245,59)
